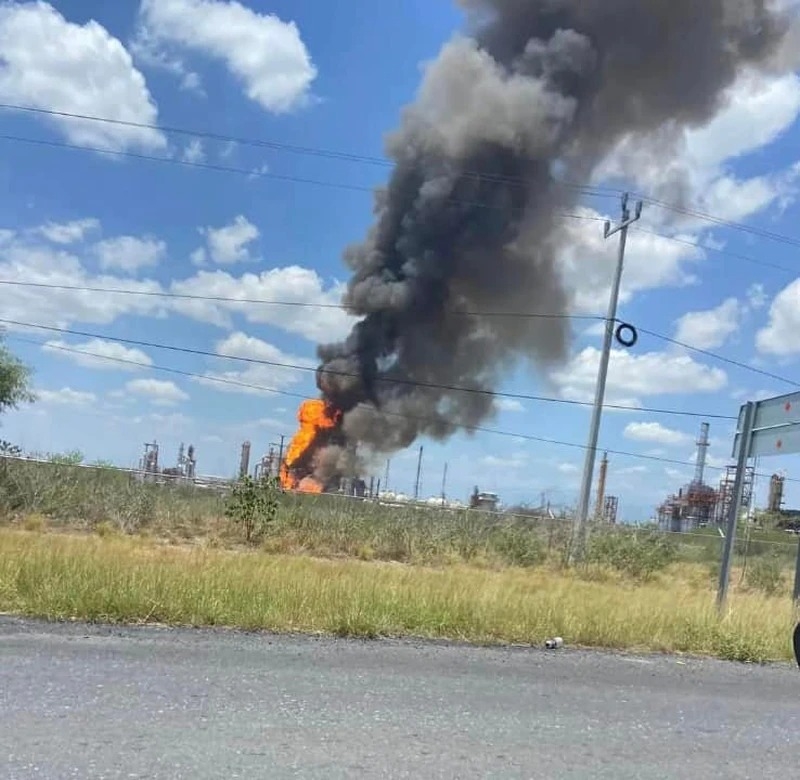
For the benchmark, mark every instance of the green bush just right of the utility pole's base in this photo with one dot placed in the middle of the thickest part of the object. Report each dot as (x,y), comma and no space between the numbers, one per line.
(637,554)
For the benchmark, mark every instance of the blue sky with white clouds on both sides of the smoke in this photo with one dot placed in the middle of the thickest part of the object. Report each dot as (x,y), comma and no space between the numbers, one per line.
(337,79)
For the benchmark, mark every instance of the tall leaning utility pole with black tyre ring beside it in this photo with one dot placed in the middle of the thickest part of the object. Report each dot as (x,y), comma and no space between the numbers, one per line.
(602,375)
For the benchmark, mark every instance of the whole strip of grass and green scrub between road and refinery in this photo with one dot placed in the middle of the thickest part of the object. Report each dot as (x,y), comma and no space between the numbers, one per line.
(70,550)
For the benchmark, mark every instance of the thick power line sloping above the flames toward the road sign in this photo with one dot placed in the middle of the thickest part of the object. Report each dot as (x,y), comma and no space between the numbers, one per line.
(397,381)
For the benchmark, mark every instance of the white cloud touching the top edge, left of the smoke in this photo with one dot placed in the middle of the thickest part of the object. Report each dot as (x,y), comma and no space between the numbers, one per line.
(266,54)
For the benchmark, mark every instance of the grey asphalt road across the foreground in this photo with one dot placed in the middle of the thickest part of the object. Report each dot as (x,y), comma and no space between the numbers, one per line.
(90,702)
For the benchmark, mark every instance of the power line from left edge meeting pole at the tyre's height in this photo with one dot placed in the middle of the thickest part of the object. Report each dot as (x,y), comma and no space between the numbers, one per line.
(265,302)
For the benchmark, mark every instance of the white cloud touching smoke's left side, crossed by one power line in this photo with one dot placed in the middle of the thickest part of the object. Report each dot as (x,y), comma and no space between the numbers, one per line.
(318,317)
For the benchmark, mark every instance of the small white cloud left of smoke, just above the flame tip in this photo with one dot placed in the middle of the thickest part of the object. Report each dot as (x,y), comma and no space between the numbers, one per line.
(259,376)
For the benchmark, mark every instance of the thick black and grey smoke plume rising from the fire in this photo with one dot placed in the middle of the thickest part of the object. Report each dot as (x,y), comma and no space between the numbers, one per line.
(467,229)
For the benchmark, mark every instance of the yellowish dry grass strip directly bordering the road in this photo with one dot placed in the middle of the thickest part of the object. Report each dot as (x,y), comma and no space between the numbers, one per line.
(120,578)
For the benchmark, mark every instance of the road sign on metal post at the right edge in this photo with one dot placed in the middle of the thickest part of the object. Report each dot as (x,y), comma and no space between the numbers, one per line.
(768,427)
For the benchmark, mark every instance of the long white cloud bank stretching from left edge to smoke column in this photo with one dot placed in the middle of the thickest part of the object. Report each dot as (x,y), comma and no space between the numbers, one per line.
(314,311)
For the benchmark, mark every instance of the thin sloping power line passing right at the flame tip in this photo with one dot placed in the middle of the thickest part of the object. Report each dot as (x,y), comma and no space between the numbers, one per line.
(286,393)
